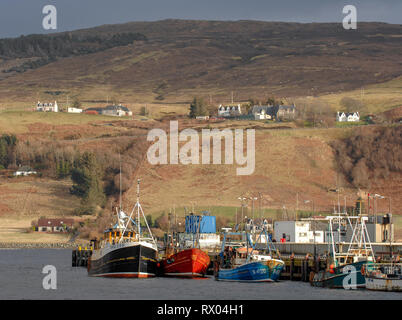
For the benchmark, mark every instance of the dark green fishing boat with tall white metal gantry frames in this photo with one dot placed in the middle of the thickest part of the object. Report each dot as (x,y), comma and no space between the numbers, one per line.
(344,269)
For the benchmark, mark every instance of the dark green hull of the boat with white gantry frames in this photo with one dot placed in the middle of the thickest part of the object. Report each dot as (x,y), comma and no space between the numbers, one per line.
(345,277)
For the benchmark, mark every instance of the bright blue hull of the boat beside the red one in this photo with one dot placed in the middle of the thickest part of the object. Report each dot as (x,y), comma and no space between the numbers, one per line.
(261,271)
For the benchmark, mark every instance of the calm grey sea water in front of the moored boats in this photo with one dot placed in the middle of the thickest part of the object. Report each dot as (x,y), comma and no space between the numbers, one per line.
(21,277)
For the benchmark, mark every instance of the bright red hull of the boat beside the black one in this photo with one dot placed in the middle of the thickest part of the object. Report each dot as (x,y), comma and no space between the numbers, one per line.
(187,263)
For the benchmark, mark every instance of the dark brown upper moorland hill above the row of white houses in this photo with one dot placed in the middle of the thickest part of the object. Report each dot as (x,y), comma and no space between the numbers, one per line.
(178,59)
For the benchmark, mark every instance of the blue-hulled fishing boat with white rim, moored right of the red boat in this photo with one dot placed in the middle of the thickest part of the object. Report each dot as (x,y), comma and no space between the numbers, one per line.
(239,262)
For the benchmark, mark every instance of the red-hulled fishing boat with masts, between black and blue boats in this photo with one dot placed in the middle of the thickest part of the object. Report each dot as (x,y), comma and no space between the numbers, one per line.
(185,262)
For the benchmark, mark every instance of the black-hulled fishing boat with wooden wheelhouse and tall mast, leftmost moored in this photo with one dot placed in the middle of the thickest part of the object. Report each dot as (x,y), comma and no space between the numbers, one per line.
(125,249)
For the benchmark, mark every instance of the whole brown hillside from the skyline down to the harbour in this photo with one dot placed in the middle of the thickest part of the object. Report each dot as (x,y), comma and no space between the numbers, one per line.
(163,65)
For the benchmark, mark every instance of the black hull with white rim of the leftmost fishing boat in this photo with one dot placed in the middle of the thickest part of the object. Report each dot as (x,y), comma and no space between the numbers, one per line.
(128,261)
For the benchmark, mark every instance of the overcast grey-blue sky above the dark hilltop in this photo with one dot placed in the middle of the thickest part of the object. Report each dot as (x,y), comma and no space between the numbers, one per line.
(22,17)
